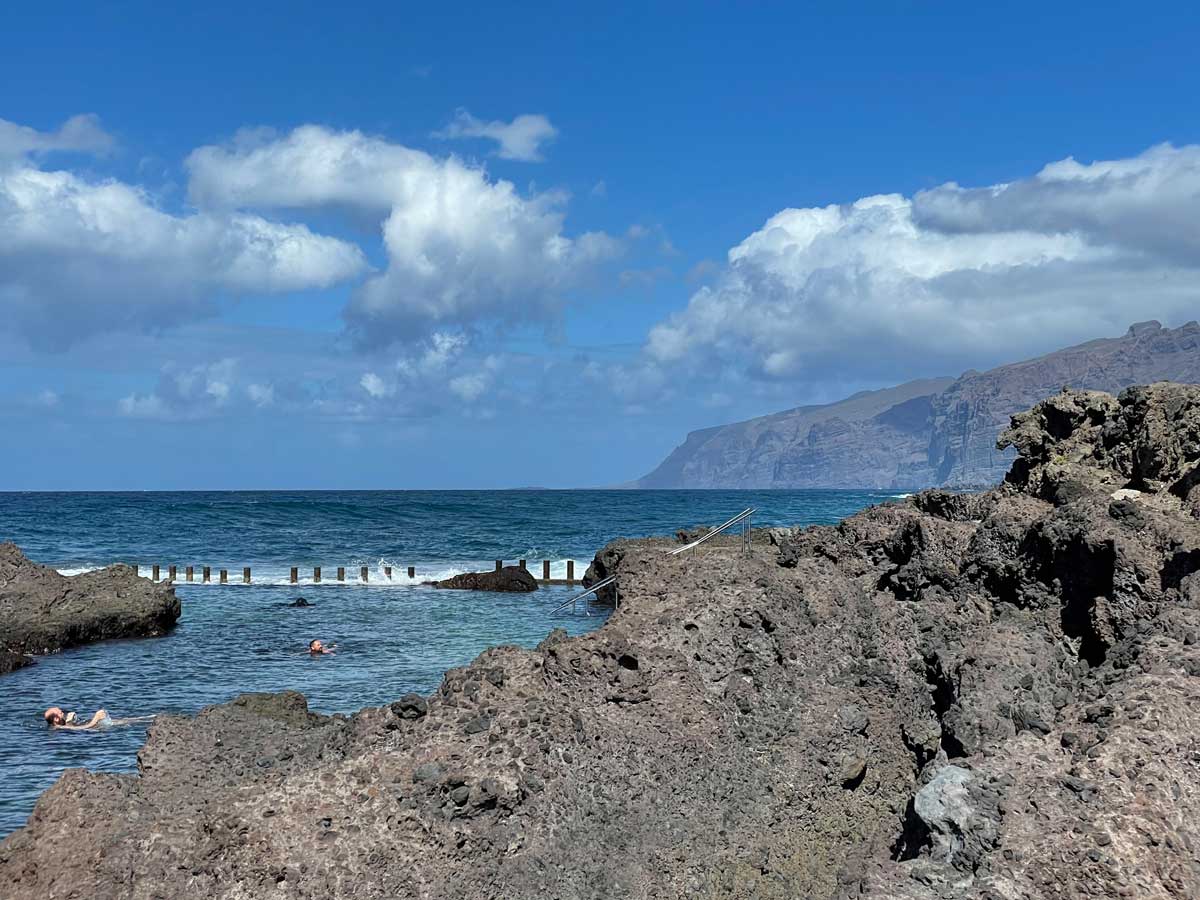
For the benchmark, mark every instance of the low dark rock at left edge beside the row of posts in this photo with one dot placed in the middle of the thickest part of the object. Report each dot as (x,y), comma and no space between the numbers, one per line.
(43,611)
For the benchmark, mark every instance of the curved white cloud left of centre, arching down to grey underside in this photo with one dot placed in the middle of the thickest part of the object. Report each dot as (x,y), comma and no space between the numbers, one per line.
(461,249)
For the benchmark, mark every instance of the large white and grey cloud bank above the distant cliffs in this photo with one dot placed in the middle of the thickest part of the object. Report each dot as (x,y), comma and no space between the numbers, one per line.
(893,286)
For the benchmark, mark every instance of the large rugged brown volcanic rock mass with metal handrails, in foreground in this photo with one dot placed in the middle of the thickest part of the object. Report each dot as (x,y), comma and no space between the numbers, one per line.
(989,697)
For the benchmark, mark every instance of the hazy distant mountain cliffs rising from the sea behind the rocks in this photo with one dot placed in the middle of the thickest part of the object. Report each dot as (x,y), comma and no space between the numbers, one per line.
(935,433)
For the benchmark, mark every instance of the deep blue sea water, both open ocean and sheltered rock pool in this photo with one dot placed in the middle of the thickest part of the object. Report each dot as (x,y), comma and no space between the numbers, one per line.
(393,638)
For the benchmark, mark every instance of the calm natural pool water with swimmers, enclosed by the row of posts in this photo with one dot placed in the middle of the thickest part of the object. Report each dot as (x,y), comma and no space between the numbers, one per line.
(238,639)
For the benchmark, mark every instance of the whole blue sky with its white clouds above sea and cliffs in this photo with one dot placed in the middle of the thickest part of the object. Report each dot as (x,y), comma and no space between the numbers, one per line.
(285,247)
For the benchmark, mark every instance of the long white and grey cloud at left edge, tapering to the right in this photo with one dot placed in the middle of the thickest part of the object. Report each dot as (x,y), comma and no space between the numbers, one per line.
(80,256)
